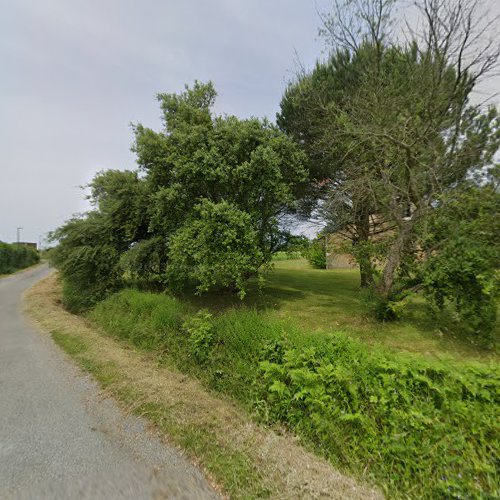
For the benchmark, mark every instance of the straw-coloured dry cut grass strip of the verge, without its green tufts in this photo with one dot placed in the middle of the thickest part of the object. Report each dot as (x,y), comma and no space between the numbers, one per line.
(285,469)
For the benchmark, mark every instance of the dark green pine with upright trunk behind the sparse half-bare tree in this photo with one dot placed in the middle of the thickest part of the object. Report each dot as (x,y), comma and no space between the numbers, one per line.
(310,111)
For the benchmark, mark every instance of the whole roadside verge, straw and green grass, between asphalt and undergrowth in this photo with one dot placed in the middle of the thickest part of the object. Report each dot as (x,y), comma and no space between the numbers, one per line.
(244,459)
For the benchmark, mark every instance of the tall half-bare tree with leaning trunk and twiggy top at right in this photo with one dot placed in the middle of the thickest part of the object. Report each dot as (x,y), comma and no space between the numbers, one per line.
(407,131)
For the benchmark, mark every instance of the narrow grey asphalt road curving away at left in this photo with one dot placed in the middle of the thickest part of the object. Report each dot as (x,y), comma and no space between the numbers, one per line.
(58,438)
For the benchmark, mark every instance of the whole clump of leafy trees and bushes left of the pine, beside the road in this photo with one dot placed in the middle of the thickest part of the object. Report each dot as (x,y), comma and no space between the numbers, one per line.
(204,208)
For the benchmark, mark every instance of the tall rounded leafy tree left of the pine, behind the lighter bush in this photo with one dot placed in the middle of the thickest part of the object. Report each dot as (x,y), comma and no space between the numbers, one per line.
(199,157)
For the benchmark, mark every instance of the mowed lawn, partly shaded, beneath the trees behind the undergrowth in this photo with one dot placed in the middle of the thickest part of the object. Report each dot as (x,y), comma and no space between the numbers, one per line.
(330,300)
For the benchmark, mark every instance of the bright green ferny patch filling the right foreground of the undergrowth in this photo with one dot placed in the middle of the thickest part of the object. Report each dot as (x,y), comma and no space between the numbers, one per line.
(425,430)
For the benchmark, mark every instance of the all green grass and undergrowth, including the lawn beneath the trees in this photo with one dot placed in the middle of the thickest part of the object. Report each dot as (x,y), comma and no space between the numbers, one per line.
(420,418)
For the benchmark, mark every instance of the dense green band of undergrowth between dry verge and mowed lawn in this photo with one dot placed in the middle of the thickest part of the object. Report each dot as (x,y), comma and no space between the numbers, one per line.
(419,428)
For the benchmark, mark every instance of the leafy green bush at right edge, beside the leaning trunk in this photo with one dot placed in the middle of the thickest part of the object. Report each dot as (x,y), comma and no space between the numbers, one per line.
(462,268)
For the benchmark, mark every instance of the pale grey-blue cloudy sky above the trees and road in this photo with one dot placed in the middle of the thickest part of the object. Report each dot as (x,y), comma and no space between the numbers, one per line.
(75,73)
